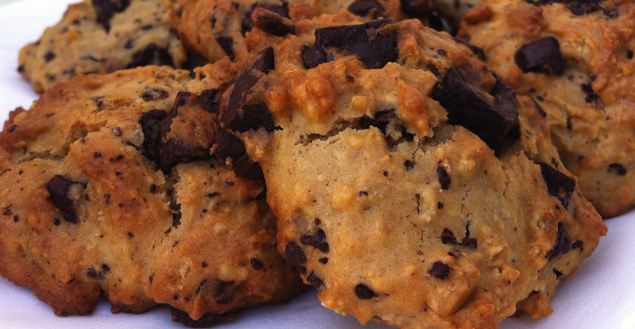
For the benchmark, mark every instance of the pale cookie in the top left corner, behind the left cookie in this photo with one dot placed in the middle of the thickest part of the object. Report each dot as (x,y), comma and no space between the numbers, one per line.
(102,36)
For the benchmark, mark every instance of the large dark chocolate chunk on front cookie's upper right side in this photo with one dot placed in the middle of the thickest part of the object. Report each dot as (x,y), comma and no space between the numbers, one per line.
(489,116)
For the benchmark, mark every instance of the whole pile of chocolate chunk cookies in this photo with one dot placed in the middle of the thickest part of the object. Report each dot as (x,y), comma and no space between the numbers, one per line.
(412,177)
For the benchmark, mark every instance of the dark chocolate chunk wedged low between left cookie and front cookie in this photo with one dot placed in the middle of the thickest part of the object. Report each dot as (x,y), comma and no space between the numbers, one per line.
(231,146)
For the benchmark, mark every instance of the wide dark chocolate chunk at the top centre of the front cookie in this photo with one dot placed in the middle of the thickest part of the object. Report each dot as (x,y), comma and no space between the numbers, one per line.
(373,47)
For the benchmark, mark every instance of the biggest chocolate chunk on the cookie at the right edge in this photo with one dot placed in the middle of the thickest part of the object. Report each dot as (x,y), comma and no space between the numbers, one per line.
(541,56)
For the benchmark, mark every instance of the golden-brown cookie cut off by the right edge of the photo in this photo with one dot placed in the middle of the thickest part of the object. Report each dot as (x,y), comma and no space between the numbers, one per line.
(575,60)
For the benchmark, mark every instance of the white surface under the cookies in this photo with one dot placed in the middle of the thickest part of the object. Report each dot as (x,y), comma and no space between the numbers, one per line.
(600,295)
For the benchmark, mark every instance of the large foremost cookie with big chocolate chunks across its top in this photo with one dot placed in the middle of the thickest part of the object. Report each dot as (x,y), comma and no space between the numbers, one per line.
(395,207)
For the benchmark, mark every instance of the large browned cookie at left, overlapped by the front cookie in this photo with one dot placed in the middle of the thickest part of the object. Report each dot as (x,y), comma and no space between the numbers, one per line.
(108,186)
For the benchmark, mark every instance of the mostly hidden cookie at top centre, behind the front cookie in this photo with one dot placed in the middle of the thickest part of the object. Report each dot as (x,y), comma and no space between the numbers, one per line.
(217,28)
